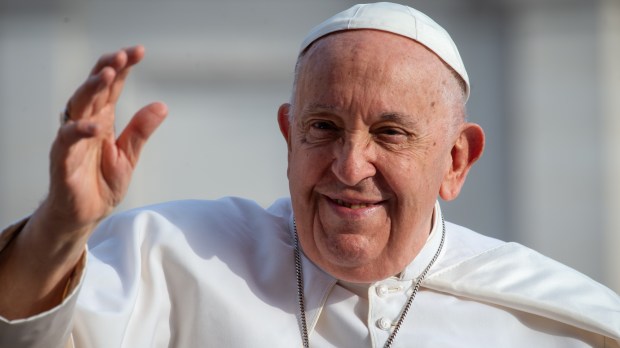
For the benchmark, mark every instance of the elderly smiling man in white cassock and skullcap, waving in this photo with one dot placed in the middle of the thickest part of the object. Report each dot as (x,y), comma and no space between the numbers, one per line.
(359,256)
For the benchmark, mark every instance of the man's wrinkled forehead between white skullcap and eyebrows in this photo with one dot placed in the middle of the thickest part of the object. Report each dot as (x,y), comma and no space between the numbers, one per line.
(369,72)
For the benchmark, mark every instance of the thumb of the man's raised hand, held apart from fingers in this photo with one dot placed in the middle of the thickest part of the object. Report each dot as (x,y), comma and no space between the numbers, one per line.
(140,127)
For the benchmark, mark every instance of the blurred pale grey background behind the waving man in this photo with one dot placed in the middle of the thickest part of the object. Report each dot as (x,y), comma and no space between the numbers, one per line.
(545,77)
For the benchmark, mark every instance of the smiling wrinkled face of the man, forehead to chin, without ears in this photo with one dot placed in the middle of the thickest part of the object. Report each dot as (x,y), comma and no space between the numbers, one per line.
(369,147)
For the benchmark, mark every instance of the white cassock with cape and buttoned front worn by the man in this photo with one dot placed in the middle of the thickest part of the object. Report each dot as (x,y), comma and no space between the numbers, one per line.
(222,274)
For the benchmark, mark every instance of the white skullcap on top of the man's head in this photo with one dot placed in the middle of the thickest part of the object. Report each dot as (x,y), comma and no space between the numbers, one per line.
(397,19)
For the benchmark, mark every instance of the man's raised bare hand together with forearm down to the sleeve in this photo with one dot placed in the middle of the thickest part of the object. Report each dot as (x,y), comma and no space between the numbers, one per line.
(90,170)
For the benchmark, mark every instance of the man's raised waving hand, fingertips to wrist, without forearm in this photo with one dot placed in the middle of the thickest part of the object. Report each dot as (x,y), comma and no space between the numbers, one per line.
(90,168)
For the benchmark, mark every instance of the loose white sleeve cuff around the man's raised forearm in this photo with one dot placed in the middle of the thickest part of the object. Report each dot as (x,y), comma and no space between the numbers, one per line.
(51,328)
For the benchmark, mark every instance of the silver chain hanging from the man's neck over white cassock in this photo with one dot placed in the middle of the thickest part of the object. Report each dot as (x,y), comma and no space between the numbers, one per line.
(403,314)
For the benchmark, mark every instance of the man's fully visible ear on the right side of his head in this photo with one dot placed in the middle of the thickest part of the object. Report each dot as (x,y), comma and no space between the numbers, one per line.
(466,150)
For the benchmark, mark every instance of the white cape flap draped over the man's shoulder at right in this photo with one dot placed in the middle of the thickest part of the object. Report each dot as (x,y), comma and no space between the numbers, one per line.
(517,277)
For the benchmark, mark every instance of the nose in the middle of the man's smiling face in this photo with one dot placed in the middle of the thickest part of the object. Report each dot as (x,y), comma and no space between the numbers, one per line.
(353,161)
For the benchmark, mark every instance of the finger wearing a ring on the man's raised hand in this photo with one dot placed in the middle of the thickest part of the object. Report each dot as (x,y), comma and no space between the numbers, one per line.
(91,95)
